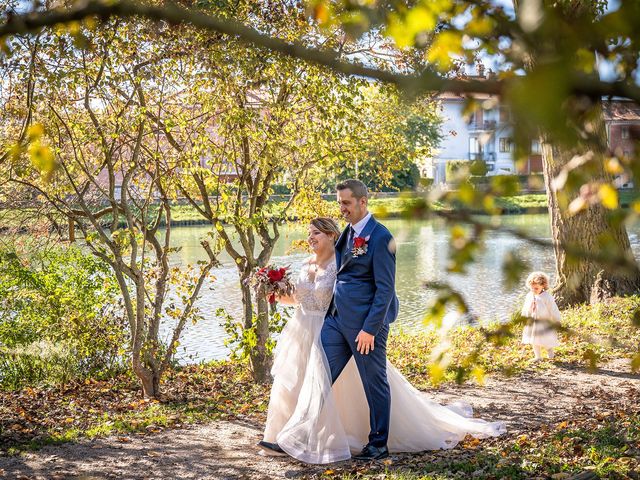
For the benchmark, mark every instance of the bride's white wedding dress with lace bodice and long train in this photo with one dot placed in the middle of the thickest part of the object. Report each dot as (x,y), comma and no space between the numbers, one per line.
(317,423)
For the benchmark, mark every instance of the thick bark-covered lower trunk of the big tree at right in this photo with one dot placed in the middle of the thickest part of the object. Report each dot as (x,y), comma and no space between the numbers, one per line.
(581,280)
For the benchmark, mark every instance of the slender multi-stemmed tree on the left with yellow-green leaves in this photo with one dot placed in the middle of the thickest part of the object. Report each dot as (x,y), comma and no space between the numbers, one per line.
(99,162)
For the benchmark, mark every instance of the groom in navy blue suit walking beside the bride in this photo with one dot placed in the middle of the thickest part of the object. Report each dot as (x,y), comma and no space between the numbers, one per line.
(364,303)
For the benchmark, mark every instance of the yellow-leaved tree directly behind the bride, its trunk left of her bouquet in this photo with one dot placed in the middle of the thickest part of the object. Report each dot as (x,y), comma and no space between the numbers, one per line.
(273,120)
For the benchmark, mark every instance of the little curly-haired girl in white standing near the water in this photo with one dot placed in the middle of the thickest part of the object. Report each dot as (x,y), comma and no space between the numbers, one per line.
(540,306)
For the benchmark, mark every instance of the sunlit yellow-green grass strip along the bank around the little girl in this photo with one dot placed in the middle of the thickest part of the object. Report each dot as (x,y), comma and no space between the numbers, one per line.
(592,334)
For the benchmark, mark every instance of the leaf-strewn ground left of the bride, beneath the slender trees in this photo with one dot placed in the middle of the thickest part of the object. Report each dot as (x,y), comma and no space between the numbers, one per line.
(34,417)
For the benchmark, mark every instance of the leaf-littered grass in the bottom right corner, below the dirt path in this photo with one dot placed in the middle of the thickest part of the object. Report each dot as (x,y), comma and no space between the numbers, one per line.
(606,446)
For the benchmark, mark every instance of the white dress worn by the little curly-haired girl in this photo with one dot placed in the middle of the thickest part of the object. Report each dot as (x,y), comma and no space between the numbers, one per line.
(544,312)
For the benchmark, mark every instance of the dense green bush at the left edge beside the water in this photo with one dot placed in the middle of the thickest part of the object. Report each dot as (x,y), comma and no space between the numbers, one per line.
(59,317)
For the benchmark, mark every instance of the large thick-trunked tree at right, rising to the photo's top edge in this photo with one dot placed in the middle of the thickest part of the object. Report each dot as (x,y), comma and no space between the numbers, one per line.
(580,221)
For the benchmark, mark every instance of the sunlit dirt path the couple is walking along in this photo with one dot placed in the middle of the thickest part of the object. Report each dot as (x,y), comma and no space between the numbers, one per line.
(226,450)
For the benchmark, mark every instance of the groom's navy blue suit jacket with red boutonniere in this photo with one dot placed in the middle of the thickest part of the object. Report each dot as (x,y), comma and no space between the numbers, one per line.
(364,295)
